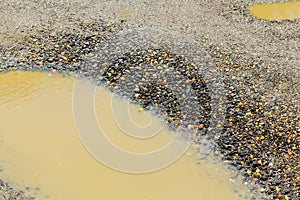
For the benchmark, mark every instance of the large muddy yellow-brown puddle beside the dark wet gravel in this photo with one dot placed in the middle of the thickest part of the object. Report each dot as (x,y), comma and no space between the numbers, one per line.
(40,148)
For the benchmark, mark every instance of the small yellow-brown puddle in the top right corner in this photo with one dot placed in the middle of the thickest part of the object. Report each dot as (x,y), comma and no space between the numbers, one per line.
(276,11)
